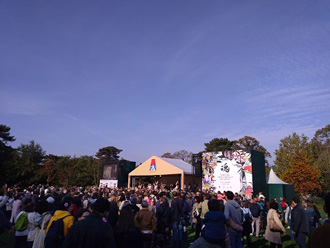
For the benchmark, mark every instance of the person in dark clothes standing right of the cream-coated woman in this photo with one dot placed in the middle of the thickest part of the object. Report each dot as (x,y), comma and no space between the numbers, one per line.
(299,224)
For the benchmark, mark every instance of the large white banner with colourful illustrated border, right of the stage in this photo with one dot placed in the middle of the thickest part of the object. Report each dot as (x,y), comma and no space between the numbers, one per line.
(228,171)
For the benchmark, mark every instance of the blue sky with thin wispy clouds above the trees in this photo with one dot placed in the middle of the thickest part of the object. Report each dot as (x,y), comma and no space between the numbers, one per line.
(151,77)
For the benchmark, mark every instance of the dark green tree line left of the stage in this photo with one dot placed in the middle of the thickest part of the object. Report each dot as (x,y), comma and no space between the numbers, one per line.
(29,164)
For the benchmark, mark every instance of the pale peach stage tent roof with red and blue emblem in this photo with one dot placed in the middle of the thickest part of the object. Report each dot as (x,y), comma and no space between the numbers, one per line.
(164,166)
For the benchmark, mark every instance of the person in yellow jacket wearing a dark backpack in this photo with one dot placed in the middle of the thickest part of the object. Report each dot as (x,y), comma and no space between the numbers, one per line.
(59,225)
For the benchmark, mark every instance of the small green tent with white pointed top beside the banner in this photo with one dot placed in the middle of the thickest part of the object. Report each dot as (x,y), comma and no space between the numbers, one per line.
(278,188)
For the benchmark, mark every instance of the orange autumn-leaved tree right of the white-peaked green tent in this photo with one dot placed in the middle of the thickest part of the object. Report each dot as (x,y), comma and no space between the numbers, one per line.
(302,174)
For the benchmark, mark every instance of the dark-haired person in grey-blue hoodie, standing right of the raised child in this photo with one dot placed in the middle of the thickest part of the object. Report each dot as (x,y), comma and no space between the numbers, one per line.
(234,212)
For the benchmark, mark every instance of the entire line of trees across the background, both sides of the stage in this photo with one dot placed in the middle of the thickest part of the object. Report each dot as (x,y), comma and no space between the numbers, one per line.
(298,160)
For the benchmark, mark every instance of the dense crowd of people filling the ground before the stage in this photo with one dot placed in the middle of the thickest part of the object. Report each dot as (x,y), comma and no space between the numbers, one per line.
(154,216)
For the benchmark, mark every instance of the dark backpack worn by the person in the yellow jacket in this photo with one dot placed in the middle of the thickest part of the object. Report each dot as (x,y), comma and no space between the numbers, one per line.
(55,235)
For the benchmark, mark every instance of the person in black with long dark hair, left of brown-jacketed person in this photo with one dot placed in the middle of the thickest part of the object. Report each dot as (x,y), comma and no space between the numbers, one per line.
(128,235)
